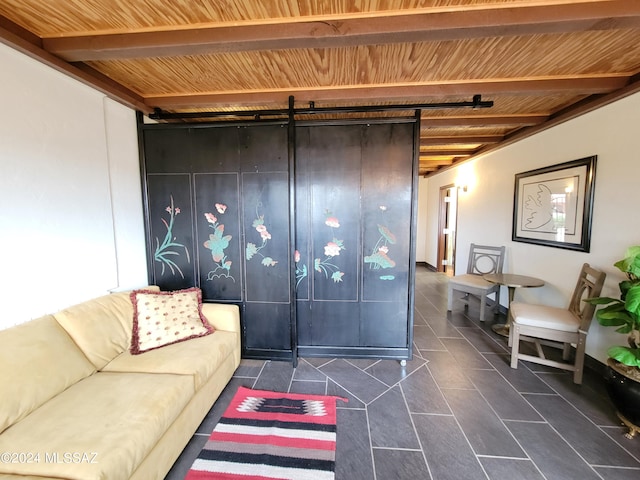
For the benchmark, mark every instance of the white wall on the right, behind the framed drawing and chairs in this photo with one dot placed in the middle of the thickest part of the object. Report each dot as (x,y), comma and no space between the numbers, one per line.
(485,211)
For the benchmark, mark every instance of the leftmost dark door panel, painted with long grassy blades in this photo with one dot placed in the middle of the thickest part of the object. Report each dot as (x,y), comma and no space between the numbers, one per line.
(170,231)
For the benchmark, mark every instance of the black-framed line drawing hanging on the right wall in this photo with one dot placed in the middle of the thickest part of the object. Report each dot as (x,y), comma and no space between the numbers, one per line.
(553,206)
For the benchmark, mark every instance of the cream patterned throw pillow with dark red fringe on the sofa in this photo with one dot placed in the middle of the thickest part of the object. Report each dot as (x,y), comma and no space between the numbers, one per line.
(164,318)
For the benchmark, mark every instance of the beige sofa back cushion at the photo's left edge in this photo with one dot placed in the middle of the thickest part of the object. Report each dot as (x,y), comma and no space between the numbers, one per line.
(38,360)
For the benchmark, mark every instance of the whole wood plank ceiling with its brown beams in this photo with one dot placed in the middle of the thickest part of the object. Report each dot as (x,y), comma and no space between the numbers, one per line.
(539,62)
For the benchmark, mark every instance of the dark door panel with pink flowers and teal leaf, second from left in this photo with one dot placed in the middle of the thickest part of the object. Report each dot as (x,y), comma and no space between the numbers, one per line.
(217,223)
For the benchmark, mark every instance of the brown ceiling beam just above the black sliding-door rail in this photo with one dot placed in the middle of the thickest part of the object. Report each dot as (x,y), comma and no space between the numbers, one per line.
(582,85)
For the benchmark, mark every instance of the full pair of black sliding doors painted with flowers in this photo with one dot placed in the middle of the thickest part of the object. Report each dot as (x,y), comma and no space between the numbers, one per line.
(218,203)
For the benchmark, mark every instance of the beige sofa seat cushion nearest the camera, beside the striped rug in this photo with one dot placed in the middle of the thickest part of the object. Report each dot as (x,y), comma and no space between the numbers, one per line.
(100,428)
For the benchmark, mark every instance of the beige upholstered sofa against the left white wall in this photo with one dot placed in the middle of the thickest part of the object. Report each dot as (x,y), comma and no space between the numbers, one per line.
(75,404)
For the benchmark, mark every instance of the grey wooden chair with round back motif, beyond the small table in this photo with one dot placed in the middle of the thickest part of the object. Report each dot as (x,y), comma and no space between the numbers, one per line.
(482,260)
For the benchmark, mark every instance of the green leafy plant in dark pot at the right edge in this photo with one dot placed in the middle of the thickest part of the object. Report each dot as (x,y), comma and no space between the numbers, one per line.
(623,372)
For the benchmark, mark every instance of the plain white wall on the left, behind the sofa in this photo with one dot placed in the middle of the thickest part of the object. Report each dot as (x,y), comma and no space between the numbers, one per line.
(71,217)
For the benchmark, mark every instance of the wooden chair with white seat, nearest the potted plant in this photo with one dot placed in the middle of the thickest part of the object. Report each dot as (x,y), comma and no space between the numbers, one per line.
(559,327)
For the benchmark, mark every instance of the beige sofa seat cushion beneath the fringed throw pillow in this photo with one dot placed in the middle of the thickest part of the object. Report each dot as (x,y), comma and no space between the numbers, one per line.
(198,357)
